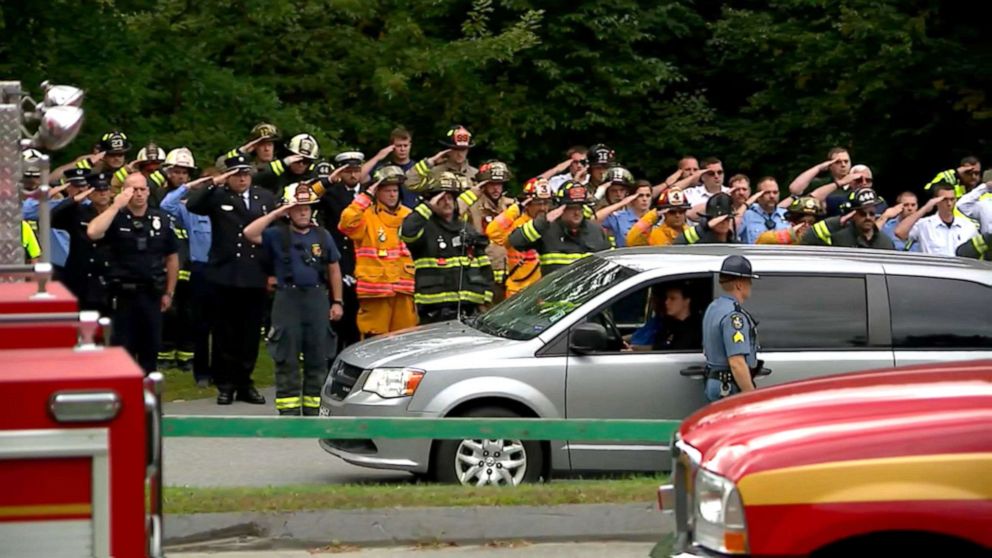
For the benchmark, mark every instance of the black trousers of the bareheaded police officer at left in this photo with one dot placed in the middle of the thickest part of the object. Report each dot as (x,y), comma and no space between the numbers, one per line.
(137,324)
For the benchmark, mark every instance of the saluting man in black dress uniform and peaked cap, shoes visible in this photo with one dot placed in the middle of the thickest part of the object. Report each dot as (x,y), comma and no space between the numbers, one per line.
(237,276)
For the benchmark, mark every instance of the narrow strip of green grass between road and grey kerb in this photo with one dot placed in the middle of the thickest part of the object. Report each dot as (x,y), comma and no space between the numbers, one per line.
(181,500)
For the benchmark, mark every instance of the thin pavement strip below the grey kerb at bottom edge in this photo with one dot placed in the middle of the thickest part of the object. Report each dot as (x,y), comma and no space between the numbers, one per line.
(562,550)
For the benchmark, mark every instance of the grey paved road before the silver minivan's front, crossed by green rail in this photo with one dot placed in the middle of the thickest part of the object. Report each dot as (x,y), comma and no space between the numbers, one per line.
(254,462)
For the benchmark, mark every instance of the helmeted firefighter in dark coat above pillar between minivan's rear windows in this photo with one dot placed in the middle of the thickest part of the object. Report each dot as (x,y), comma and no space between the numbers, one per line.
(856,229)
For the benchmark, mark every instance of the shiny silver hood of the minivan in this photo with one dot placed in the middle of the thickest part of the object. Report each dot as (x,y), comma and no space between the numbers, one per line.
(424,344)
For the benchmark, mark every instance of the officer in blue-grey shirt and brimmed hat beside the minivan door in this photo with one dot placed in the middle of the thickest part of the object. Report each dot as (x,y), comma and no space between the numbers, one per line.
(730,335)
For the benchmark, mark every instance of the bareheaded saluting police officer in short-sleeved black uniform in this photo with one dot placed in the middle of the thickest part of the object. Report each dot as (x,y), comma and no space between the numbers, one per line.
(143,268)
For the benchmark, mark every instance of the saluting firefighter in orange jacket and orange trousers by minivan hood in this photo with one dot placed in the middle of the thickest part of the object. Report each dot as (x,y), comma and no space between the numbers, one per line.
(383,269)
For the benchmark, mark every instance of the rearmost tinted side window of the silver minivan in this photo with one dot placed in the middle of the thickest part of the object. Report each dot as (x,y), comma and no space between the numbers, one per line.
(934,313)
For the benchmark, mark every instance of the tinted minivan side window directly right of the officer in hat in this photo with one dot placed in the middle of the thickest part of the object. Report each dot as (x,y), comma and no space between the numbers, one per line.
(809,311)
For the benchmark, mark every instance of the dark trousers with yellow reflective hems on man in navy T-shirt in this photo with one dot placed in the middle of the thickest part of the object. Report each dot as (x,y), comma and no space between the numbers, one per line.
(300,324)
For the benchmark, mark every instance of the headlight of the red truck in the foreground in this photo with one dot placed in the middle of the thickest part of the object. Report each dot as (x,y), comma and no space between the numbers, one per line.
(719,514)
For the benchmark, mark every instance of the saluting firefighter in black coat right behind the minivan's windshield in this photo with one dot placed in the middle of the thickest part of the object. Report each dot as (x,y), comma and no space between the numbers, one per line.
(564,235)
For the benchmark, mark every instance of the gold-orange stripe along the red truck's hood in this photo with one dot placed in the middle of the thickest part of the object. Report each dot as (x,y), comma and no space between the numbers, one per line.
(956,476)
